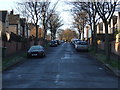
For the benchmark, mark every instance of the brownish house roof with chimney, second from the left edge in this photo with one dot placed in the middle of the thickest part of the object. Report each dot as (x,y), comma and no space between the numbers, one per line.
(14,19)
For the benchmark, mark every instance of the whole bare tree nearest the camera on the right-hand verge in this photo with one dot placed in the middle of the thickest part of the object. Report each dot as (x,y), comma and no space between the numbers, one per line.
(106,11)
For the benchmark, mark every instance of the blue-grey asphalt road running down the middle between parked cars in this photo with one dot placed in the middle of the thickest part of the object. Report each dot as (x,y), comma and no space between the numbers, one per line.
(63,67)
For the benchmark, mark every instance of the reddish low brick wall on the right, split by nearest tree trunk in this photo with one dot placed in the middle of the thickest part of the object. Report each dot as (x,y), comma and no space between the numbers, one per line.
(115,47)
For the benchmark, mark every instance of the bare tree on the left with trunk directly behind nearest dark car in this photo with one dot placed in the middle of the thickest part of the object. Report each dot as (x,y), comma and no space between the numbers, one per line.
(33,11)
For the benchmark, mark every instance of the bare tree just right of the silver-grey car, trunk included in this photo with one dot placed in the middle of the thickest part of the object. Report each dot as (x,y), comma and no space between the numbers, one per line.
(90,9)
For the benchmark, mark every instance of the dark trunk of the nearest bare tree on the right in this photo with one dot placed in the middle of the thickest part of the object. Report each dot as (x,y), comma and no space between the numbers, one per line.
(107,44)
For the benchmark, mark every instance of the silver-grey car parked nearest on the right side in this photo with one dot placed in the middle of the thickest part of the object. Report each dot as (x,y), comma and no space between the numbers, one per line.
(81,45)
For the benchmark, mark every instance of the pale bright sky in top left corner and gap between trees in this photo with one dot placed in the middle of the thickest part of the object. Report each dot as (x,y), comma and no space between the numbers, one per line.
(61,8)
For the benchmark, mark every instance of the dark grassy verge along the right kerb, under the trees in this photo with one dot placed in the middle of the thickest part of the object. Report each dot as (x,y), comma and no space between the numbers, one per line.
(113,65)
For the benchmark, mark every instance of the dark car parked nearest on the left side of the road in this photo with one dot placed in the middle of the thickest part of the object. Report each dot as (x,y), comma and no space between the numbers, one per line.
(37,50)
